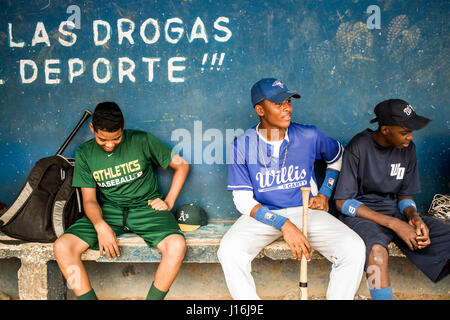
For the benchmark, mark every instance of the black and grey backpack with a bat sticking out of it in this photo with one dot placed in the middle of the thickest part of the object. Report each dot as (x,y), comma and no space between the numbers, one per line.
(47,204)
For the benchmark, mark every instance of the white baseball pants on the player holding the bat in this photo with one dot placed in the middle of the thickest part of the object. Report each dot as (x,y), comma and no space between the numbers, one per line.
(326,234)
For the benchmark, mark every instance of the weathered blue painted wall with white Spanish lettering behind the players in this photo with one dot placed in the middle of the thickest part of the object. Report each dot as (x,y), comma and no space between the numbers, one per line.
(323,49)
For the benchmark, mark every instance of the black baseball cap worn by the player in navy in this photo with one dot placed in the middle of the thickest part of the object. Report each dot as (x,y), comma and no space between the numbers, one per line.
(397,112)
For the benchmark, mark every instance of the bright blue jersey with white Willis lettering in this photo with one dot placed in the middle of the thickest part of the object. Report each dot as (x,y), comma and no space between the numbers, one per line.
(276,182)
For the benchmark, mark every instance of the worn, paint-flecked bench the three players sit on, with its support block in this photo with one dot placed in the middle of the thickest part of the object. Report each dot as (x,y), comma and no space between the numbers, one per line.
(39,280)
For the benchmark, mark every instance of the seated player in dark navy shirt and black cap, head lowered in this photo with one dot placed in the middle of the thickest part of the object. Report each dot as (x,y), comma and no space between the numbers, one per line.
(374,193)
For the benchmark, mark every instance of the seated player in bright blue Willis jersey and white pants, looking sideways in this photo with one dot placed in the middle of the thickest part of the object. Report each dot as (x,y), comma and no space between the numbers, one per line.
(267,166)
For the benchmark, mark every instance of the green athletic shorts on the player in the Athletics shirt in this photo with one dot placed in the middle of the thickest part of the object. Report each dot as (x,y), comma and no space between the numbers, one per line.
(153,226)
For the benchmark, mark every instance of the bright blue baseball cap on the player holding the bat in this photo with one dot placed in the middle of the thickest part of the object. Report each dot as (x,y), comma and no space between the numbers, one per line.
(271,89)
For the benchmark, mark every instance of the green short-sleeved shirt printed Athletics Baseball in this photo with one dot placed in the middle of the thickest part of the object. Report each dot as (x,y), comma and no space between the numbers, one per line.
(125,176)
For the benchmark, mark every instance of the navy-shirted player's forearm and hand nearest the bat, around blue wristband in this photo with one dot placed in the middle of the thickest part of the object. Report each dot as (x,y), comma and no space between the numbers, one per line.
(404,230)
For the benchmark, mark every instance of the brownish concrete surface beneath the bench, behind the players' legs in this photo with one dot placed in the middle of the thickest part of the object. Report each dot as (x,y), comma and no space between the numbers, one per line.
(274,280)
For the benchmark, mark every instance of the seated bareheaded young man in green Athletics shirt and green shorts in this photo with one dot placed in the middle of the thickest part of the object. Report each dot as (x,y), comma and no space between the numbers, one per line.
(118,163)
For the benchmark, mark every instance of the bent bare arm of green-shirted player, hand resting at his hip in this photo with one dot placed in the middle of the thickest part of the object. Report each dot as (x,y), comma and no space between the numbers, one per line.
(181,170)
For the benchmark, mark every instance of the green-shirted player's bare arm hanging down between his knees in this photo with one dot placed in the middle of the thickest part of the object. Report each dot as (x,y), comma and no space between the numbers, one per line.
(107,240)
